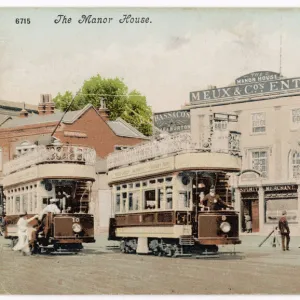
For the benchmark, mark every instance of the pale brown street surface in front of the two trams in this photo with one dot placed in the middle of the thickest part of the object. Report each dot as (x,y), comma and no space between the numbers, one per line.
(102,270)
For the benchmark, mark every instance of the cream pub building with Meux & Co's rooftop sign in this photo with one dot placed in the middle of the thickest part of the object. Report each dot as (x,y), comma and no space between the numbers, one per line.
(267,108)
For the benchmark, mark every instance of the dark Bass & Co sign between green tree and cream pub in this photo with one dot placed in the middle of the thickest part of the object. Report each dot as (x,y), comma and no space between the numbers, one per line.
(173,121)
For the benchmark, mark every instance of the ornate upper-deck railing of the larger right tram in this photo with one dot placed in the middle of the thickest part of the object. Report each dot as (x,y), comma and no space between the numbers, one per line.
(230,143)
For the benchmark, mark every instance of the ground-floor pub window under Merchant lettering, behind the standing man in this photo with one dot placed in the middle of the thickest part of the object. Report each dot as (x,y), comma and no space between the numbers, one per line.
(274,208)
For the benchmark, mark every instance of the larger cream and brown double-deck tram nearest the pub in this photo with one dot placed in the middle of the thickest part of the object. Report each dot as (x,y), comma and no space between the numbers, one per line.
(156,192)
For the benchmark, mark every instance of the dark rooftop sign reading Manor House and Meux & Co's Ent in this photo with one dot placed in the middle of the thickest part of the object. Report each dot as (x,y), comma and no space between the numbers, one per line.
(251,84)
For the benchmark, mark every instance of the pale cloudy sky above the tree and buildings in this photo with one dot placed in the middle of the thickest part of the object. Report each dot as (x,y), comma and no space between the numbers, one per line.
(180,51)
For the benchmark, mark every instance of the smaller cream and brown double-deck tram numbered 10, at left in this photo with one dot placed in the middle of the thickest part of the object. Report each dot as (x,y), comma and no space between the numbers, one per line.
(61,172)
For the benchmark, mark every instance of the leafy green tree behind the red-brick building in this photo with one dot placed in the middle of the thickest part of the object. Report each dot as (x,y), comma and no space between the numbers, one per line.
(132,107)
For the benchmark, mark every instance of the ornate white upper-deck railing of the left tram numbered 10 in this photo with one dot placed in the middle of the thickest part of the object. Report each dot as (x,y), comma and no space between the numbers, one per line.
(51,154)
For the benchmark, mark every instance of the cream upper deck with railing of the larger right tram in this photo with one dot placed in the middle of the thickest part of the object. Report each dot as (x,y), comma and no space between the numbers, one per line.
(174,153)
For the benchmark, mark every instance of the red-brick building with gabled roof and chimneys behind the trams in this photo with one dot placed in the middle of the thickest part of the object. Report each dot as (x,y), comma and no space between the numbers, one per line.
(24,130)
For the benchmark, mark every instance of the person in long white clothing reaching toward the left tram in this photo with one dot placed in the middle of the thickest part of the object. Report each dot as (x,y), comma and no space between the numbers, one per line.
(23,239)
